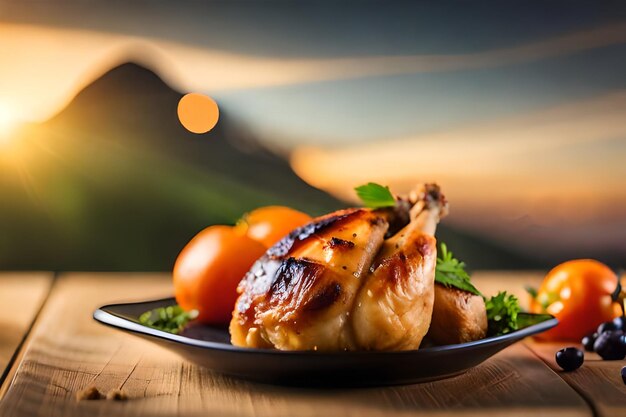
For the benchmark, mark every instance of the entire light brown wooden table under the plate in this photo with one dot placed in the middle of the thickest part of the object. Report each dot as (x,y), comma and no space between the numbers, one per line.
(49,355)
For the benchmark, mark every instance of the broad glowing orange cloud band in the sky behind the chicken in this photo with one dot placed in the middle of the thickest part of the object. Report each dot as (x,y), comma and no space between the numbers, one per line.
(507,165)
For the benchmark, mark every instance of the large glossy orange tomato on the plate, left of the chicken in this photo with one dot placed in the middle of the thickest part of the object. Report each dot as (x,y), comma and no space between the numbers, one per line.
(209,268)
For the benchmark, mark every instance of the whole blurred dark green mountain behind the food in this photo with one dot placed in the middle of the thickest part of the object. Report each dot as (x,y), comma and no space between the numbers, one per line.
(114,182)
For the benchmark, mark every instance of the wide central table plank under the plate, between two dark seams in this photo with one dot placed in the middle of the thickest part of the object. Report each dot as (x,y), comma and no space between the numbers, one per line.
(68,351)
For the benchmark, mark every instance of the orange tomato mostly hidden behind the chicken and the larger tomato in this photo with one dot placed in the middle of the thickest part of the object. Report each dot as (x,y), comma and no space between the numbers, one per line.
(270,224)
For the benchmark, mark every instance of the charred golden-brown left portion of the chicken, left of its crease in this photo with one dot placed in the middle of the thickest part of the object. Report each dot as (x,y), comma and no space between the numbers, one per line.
(300,294)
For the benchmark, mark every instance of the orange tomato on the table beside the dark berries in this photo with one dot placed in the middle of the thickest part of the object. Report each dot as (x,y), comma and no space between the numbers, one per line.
(578,293)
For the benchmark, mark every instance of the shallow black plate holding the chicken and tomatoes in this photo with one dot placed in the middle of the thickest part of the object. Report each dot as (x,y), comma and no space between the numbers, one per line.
(210,347)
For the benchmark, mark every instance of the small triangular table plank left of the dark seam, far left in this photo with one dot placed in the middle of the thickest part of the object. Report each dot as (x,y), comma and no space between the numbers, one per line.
(21,297)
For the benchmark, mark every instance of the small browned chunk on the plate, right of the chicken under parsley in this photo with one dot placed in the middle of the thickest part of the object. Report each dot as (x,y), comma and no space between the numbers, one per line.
(458,316)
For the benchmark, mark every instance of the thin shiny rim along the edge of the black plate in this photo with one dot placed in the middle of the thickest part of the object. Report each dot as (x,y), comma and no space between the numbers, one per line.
(110,319)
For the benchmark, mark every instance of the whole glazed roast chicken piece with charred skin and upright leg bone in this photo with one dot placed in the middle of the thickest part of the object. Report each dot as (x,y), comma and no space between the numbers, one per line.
(353,279)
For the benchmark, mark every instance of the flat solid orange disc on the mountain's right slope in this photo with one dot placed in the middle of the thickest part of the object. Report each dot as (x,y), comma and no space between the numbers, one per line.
(198,113)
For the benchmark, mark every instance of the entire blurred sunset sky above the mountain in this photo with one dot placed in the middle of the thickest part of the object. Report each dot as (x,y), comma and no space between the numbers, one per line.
(517,109)
